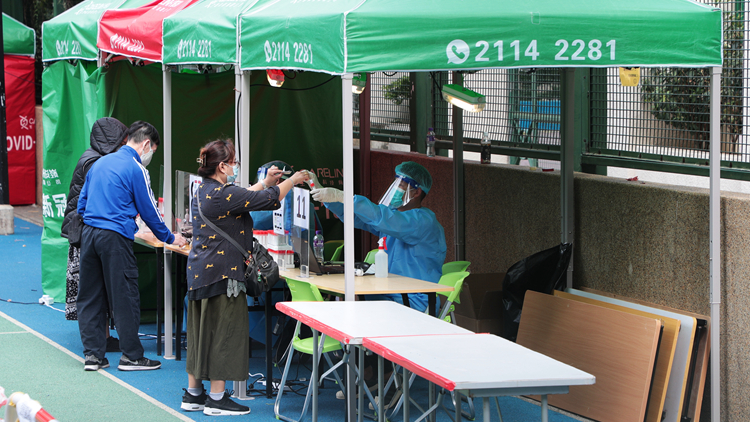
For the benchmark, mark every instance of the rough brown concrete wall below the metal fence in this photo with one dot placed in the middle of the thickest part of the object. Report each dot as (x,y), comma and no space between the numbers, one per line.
(641,240)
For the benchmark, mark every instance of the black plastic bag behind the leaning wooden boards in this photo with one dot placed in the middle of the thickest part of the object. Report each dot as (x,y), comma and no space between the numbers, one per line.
(542,272)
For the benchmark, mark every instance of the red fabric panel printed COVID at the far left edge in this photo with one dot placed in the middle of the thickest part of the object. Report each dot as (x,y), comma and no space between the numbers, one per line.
(21,129)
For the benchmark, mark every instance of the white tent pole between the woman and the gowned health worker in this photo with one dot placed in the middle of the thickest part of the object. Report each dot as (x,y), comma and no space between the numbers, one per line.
(346,101)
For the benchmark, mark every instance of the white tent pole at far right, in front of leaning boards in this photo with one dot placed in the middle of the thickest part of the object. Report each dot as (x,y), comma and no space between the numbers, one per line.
(715,243)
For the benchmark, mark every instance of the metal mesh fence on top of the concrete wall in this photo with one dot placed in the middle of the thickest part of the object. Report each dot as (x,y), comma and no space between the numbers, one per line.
(663,120)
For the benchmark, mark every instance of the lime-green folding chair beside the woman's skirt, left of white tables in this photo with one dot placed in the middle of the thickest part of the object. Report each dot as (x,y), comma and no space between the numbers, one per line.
(306,292)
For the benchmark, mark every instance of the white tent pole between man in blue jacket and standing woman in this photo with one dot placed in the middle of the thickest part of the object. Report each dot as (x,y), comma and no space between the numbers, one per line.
(167,195)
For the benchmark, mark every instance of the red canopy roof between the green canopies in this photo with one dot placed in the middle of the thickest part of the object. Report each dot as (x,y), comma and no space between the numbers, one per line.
(137,32)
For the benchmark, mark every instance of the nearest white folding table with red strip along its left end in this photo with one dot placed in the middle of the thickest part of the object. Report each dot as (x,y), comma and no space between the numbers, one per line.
(478,365)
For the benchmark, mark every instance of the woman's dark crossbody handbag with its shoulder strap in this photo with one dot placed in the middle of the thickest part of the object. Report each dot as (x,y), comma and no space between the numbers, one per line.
(261,271)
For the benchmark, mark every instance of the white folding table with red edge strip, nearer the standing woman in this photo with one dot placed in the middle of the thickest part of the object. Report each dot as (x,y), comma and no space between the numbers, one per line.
(350,322)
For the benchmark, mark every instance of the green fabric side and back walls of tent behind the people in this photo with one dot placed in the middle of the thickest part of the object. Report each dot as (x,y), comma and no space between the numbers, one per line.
(286,124)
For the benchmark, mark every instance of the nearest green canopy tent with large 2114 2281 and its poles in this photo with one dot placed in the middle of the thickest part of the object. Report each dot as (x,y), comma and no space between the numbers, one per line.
(442,35)
